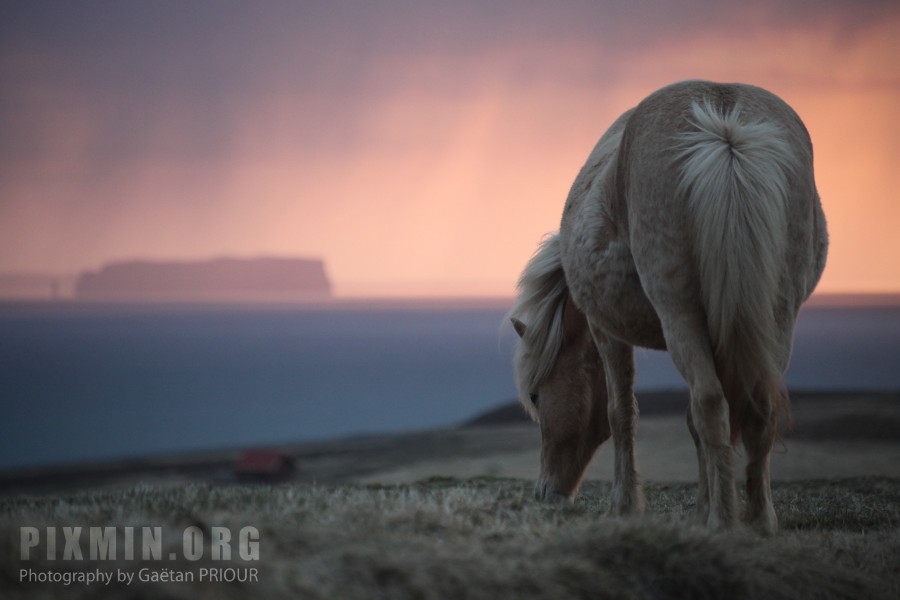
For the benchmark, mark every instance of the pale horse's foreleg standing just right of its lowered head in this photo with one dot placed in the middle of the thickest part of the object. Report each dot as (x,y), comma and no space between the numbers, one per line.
(618,362)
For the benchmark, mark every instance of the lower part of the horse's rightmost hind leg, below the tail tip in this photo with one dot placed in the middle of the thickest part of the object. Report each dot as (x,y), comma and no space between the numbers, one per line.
(758,432)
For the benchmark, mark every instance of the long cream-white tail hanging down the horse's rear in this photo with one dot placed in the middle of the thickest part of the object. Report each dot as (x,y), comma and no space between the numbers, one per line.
(735,175)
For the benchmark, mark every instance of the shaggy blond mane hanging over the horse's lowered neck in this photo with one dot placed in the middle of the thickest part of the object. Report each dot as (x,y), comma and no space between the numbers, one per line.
(542,296)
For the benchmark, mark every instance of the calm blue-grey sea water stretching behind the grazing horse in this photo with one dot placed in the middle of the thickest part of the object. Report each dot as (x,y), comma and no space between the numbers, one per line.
(93,382)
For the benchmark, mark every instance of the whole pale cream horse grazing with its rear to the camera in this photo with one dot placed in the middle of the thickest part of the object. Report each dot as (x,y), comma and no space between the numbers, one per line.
(694,227)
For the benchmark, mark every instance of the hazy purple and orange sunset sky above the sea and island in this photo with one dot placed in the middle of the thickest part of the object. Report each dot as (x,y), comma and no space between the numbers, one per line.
(420,147)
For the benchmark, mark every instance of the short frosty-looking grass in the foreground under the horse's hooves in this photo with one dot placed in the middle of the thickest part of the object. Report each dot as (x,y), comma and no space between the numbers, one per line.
(482,538)
